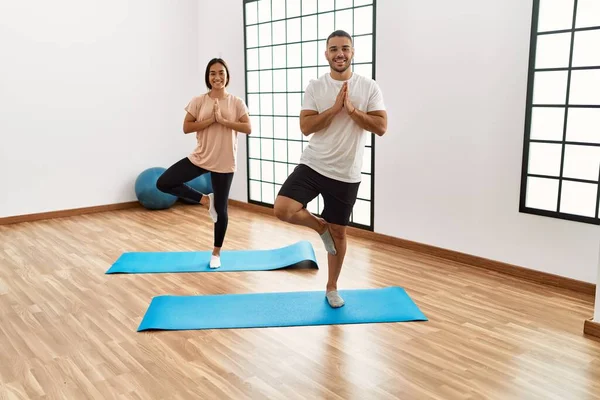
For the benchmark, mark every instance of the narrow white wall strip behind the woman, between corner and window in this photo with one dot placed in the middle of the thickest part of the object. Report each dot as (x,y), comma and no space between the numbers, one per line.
(228,44)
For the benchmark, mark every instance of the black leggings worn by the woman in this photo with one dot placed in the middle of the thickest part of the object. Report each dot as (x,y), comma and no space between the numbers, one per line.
(173,180)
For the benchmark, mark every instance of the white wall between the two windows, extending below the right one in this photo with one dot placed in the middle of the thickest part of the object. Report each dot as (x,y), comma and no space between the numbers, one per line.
(454,76)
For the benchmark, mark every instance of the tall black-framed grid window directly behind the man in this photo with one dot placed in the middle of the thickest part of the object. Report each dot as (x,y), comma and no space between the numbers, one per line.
(285,44)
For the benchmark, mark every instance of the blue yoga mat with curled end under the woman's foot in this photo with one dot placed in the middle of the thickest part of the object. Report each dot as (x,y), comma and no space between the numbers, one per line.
(300,254)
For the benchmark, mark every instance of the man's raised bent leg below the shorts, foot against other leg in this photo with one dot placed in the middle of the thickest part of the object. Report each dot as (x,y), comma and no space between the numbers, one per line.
(292,211)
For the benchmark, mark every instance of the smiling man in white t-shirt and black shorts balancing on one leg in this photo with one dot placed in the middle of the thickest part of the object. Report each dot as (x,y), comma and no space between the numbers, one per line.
(339,109)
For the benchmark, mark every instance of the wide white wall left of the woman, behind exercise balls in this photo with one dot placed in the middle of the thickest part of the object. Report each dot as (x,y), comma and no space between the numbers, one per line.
(91,93)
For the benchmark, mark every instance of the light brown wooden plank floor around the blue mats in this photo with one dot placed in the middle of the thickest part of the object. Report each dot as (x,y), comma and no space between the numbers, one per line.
(69,331)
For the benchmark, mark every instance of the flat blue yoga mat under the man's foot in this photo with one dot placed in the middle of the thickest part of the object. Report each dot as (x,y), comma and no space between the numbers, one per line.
(256,310)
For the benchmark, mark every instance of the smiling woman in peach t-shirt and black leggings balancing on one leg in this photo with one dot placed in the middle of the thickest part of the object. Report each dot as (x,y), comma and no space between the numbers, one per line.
(216,117)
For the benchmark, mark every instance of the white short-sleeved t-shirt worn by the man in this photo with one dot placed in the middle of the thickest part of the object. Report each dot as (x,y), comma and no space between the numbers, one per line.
(337,151)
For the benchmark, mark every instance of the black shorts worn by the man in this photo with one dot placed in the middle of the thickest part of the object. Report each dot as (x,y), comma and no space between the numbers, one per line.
(304,184)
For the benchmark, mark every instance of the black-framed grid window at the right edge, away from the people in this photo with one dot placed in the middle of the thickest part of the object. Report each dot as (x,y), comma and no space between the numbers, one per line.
(561,168)
